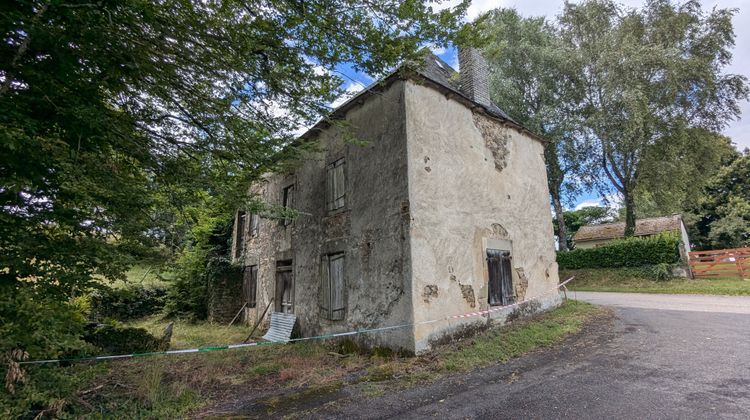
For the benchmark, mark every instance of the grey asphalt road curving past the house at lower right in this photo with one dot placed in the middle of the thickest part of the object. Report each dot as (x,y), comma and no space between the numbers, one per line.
(645,362)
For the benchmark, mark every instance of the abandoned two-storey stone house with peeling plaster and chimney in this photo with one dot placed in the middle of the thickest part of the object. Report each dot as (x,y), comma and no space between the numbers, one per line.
(440,208)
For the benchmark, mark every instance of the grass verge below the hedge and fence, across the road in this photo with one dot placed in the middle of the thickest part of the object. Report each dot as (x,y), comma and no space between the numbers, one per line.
(623,280)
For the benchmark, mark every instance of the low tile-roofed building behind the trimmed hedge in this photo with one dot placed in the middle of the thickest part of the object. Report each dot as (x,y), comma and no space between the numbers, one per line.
(591,236)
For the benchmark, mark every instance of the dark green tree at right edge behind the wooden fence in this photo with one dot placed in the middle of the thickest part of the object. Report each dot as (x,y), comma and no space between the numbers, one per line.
(722,217)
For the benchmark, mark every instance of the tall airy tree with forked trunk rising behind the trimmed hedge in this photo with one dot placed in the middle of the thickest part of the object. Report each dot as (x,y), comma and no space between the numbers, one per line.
(649,74)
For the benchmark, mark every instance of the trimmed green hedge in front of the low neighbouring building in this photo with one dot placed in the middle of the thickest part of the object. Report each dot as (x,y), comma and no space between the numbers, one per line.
(629,252)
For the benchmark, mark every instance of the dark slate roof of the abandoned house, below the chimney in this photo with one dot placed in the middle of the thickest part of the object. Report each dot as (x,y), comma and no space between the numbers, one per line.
(438,73)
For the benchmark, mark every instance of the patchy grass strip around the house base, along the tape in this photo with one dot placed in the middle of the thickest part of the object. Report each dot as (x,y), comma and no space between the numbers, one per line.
(280,376)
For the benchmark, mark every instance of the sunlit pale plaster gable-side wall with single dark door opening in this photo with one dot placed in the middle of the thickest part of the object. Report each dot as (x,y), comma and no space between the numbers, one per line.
(473,185)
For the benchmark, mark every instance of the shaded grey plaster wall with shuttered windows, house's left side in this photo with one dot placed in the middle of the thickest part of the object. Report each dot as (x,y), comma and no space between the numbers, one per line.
(371,229)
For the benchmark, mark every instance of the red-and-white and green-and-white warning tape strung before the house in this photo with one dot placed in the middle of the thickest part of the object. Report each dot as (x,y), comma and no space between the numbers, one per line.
(267,343)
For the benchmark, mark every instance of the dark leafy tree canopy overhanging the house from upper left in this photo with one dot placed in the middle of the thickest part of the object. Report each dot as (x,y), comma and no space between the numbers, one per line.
(112,110)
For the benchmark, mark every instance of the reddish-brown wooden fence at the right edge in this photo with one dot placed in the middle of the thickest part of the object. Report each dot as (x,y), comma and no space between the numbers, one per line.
(720,263)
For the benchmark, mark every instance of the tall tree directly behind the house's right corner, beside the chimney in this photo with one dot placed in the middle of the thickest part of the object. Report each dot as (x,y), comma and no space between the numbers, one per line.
(534,80)
